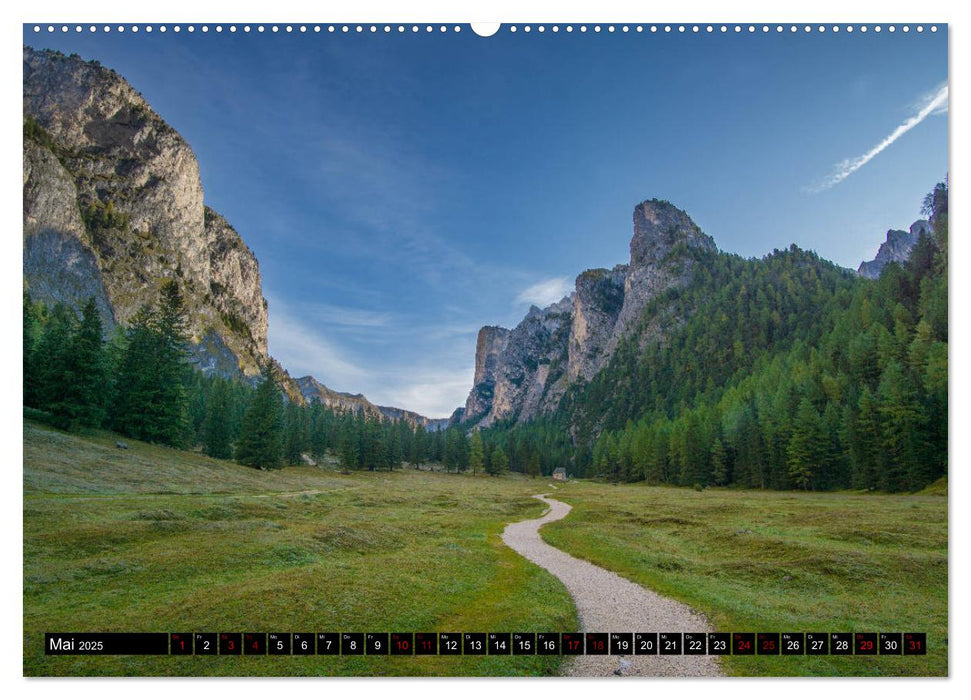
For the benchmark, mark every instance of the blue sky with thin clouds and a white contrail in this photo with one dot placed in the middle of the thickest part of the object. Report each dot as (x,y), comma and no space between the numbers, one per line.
(400,191)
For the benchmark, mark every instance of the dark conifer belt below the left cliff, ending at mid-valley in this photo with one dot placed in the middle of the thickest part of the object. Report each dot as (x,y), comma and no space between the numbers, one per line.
(139,383)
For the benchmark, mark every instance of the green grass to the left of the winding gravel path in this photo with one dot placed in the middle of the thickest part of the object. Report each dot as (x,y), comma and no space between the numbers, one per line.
(151,539)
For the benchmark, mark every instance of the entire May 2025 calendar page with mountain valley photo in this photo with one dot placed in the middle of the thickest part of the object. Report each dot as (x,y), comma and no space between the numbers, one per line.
(584,349)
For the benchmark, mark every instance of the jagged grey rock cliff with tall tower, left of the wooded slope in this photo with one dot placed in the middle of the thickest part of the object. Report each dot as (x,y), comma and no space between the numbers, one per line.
(523,373)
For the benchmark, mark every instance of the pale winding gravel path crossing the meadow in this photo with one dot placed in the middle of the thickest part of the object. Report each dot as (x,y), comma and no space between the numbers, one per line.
(608,603)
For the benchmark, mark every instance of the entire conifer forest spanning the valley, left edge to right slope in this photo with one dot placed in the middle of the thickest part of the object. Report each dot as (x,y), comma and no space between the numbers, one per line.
(785,372)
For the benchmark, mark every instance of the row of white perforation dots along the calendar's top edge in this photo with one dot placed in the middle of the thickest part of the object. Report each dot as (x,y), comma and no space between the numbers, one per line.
(414,28)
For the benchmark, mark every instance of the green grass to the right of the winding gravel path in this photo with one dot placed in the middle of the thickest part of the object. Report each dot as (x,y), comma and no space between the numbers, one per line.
(778,562)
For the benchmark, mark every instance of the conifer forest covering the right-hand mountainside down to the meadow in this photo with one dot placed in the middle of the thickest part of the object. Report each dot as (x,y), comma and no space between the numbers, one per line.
(784,373)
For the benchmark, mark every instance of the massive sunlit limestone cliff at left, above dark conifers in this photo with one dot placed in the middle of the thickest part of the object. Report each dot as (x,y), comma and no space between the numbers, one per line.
(113,206)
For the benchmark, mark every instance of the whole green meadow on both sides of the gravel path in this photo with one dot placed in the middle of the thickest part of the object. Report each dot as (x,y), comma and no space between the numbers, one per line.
(154,539)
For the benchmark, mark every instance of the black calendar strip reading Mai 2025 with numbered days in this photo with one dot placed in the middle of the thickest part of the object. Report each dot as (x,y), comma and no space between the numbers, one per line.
(484,643)
